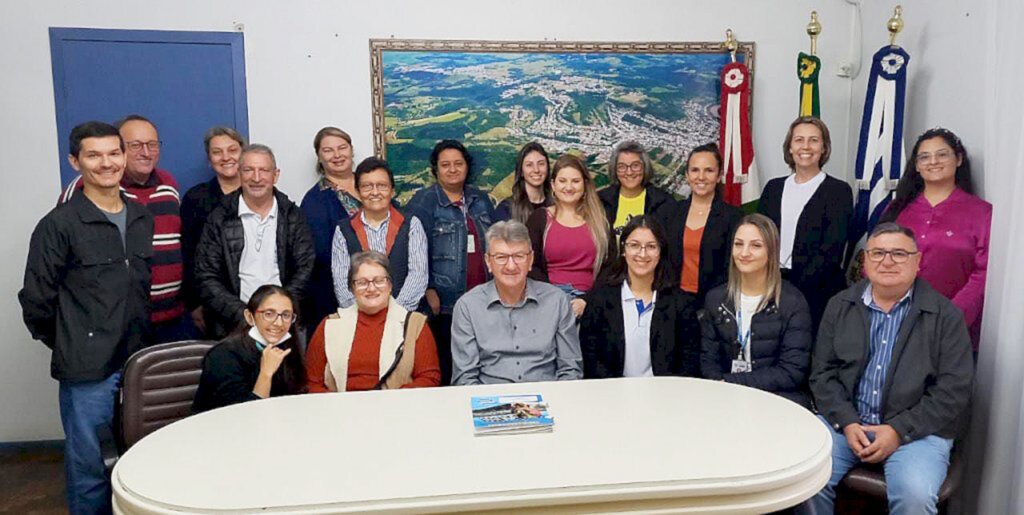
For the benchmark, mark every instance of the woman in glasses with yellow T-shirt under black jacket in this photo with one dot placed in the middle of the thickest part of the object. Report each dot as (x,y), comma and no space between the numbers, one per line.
(631,192)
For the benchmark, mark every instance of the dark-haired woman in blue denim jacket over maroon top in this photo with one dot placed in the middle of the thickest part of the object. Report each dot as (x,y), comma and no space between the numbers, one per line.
(455,217)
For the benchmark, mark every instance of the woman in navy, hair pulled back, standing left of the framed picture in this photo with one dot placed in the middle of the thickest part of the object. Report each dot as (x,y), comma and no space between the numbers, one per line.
(333,199)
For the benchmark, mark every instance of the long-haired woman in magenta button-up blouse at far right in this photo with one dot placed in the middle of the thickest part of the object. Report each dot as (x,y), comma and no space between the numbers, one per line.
(935,200)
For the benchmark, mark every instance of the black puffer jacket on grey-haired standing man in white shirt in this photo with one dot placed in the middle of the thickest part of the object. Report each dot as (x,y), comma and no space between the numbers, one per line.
(220,253)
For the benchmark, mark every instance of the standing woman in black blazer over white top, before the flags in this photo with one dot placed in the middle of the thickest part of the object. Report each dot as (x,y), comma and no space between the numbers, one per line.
(814,230)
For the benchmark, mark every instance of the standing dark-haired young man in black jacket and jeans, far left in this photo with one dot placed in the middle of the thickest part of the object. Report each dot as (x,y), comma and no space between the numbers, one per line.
(87,297)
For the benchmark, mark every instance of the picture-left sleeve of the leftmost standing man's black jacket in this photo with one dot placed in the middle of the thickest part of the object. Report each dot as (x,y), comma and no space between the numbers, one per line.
(48,253)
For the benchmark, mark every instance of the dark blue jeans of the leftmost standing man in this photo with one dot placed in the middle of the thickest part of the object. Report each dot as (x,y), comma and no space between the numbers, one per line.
(88,413)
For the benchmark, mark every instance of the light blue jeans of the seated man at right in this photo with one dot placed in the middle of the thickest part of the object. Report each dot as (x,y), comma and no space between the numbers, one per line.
(914,476)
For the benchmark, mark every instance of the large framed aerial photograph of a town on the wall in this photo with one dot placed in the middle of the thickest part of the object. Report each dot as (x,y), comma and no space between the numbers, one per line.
(578,98)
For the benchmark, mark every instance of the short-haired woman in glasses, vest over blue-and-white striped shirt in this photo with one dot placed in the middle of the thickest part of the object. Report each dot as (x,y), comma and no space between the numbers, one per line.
(379,227)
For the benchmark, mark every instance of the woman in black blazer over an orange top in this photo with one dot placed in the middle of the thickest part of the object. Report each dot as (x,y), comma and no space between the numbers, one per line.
(704,218)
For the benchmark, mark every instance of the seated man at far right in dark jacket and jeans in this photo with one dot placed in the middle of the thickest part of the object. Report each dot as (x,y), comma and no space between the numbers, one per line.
(891,376)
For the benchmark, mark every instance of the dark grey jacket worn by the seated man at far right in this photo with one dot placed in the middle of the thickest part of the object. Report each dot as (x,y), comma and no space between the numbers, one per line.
(928,385)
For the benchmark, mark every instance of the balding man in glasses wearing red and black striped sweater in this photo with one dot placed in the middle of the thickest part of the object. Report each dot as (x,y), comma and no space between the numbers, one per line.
(157,190)
